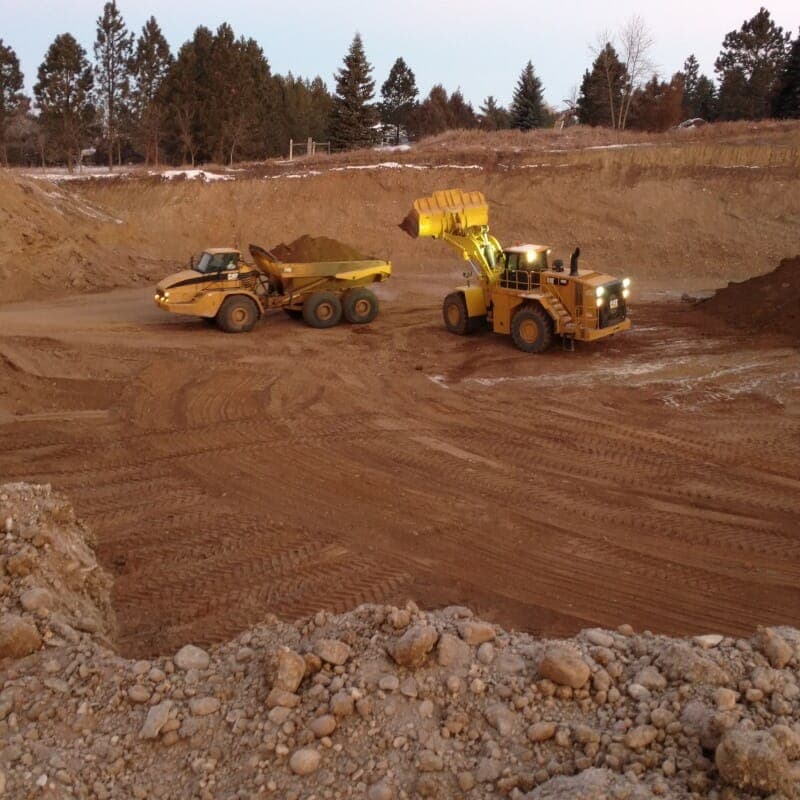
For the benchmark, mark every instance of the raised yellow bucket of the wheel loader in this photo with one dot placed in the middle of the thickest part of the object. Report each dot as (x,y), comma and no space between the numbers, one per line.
(449,211)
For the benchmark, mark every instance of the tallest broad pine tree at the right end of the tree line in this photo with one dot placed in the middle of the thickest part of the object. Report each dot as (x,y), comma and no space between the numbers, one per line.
(749,65)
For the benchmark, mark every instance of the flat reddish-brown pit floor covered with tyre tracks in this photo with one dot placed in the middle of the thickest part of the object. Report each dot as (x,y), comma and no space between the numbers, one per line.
(653,478)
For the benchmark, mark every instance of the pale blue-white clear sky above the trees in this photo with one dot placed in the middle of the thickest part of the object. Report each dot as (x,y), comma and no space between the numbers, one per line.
(479,47)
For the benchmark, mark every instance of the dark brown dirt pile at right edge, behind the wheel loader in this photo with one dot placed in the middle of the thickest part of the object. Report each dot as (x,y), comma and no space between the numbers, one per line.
(769,303)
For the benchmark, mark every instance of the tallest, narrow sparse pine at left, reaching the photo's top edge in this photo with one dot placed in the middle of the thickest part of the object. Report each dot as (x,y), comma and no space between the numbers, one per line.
(112,51)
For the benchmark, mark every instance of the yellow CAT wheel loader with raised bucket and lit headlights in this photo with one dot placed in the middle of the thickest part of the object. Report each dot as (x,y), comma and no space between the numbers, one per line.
(518,292)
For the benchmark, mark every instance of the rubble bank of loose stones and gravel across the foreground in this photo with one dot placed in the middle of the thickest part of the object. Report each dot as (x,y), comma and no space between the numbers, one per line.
(383,702)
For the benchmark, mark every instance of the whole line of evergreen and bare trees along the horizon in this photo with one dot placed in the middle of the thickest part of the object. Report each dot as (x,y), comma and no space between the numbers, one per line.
(217,99)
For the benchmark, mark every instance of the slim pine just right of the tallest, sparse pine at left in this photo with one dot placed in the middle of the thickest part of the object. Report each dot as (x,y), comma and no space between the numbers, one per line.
(150,66)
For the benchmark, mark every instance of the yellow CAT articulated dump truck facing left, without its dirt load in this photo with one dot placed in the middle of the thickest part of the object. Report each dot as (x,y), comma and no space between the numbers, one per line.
(223,288)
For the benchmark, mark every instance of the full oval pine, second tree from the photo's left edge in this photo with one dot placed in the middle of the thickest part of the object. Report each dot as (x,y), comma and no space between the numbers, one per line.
(63,95)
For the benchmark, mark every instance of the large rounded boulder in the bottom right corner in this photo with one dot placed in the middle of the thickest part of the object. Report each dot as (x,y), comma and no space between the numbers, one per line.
(753,760)
